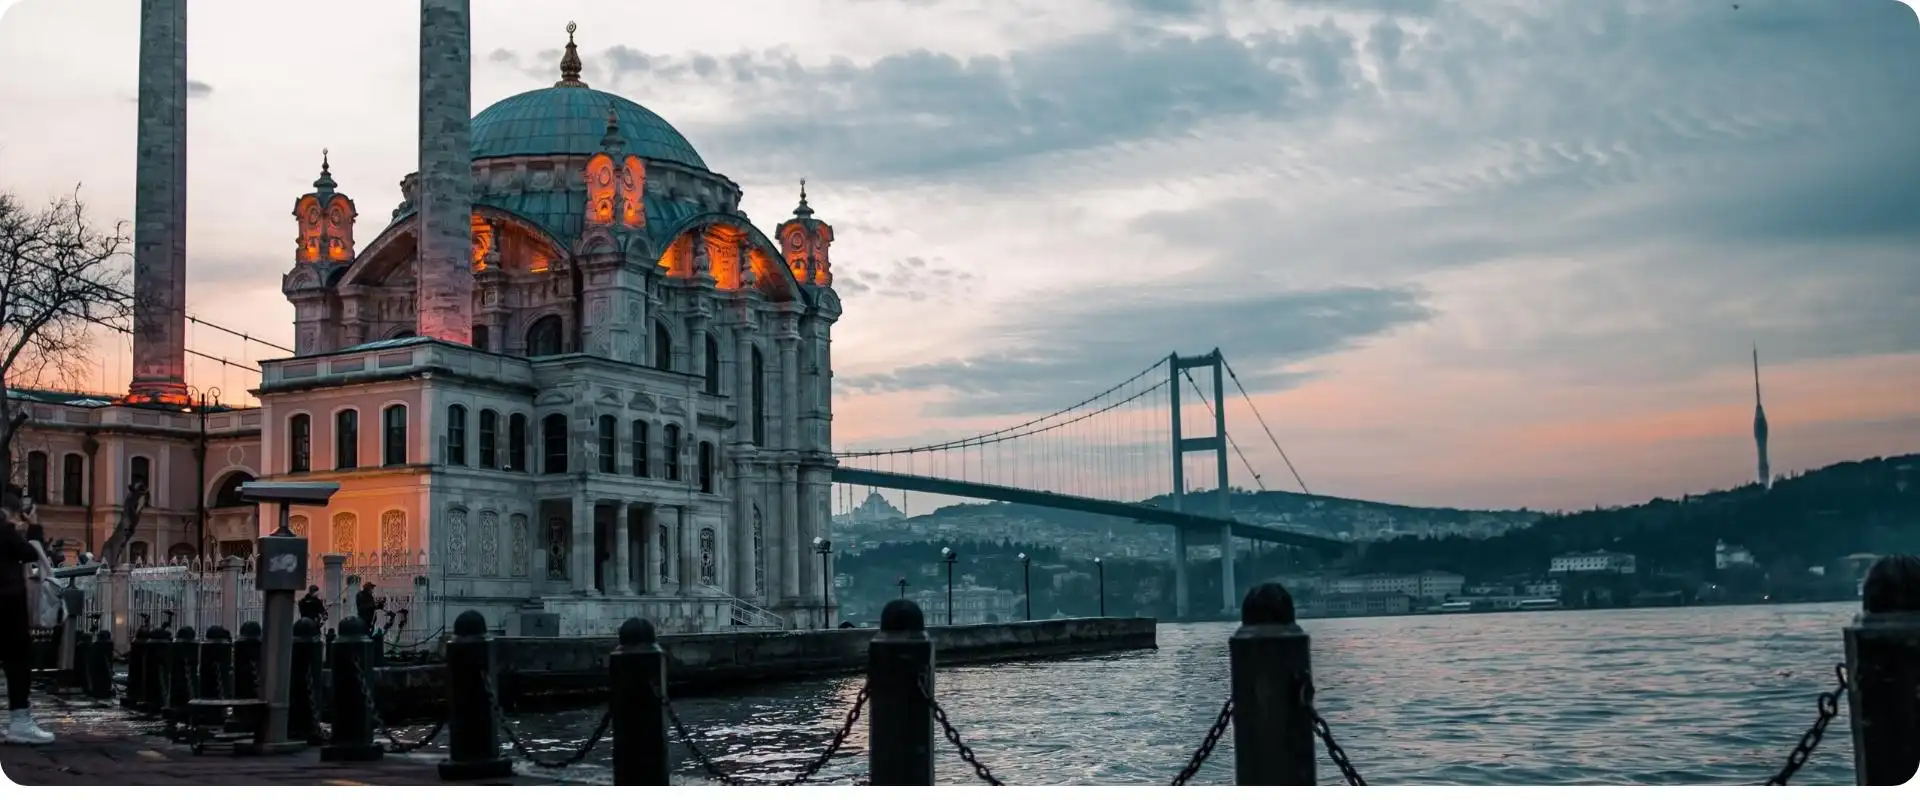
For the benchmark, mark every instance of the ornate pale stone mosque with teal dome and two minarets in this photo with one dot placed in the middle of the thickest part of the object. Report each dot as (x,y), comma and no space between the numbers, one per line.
(567,369)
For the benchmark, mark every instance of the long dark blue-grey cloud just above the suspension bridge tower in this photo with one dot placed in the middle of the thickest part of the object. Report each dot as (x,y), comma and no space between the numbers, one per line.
(1051,358)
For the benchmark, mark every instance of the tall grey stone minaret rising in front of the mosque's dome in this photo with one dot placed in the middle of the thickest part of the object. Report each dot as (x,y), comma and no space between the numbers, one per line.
(444,293)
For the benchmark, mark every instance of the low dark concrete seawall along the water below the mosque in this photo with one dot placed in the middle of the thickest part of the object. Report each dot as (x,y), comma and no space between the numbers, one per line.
(556,672)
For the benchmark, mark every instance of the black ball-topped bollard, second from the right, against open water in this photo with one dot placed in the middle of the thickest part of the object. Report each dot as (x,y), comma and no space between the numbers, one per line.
(1270,661)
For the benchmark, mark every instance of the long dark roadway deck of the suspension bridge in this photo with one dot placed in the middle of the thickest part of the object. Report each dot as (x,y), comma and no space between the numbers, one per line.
(1090,506)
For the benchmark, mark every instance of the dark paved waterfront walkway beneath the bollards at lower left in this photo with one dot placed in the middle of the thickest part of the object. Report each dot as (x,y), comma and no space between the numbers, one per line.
(107,747)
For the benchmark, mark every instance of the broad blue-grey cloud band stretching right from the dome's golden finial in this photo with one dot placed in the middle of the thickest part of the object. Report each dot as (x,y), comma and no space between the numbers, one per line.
(924,112)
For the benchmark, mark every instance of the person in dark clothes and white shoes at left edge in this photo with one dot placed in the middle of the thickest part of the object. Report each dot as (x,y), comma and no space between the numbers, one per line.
(20,530)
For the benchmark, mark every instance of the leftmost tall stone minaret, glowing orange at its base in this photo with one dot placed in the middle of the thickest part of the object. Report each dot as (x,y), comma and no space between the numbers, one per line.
(160,210)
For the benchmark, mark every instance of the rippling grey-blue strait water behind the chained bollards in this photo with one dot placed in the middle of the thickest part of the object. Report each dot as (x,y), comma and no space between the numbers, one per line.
(1629,697)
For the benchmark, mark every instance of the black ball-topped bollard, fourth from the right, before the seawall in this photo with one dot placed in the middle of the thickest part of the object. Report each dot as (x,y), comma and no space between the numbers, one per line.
(638,680)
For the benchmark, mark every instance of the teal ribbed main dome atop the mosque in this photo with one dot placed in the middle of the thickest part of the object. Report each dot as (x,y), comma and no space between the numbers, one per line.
(571,122)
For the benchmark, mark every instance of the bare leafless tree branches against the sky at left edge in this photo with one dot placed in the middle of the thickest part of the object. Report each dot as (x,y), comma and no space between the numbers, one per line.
(60,275)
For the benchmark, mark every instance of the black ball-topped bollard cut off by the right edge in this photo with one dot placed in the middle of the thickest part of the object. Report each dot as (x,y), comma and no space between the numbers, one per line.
(1884,667)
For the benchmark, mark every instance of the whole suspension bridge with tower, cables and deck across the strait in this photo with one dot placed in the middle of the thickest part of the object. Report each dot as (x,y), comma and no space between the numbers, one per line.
(1124,452)
